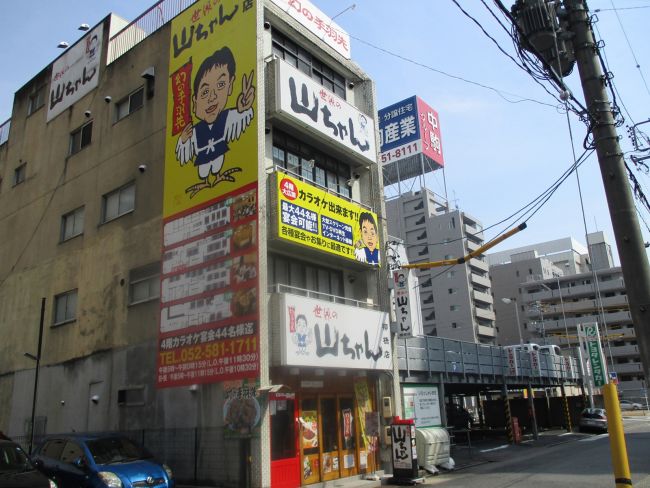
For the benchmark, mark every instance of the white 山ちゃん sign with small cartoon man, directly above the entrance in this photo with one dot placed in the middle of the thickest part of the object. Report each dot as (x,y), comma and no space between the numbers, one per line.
(331,335)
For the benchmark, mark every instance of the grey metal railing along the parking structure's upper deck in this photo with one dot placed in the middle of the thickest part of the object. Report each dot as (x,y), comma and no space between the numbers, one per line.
(451,357)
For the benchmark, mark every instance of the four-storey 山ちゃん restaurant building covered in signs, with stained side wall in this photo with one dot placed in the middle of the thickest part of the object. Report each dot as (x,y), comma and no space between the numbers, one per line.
(196,196)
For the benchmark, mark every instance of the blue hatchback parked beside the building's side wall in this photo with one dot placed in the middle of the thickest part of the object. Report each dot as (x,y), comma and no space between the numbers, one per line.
(102,461)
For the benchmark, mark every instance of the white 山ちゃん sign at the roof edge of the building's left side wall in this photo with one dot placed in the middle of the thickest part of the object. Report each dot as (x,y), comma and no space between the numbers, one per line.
(75,73)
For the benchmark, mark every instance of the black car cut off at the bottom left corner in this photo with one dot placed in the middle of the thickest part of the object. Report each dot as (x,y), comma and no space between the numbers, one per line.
(16,471)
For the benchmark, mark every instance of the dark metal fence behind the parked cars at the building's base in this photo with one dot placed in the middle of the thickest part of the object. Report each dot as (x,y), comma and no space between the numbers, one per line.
(198,456)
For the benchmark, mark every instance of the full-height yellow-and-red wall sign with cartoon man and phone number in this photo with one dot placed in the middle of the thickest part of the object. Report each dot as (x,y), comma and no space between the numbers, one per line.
(209,316)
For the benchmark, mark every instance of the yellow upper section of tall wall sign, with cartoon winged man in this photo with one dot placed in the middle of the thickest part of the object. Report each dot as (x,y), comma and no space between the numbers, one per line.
(211,138)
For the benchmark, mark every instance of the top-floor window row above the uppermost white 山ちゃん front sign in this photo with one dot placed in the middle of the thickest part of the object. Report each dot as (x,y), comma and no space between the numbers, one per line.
(301,59)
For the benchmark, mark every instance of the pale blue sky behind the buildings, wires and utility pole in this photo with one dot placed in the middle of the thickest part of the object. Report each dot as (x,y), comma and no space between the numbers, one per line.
(500,150)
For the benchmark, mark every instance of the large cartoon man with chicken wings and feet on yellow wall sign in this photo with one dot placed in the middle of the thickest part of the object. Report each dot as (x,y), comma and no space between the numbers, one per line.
(206,142)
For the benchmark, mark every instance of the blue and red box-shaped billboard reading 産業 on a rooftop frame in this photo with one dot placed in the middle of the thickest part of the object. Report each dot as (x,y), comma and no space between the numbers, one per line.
(408,128)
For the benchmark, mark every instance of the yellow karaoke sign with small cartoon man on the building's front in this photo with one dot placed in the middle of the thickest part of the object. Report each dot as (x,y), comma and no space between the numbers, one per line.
(313,217)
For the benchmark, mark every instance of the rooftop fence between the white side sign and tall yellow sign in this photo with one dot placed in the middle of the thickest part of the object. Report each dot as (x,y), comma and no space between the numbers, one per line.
(145,25)
